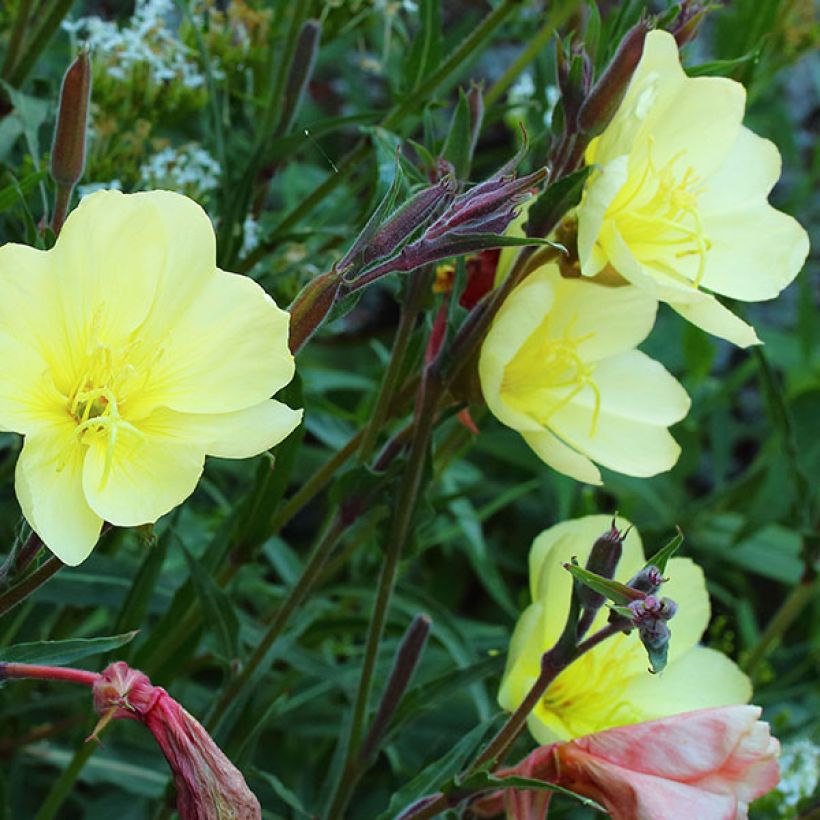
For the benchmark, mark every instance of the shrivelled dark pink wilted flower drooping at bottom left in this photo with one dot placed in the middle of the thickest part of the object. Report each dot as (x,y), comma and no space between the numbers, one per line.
(209,786)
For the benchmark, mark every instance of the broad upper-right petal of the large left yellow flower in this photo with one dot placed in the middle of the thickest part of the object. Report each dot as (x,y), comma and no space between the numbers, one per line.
(228,351)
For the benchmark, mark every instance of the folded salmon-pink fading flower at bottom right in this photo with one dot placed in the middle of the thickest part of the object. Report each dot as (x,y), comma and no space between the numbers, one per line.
(710,763)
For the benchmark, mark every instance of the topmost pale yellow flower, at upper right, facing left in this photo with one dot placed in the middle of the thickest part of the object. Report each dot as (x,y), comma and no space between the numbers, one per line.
(678,201)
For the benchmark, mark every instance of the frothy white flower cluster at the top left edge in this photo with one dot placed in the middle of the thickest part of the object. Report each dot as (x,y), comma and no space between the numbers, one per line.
(146,40)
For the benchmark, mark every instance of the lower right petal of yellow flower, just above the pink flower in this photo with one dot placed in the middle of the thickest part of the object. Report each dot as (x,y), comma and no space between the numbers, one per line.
(699,679)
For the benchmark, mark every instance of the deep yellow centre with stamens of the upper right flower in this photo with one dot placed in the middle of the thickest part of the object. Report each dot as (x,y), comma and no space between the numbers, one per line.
(659,212)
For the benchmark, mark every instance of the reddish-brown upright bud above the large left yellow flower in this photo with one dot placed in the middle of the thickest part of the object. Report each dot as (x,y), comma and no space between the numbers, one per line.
(68,149)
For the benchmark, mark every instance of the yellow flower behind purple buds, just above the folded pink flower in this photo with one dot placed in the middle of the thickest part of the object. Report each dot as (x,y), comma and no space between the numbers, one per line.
(610,685)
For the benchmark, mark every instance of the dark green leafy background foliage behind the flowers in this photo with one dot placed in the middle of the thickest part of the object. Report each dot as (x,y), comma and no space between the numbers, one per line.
(288,190)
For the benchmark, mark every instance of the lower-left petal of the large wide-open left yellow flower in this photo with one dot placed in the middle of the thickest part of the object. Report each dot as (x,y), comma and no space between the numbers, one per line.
(49,486)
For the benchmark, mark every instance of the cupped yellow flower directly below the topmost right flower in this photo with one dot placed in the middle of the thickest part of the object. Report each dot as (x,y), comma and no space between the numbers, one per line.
(559,366)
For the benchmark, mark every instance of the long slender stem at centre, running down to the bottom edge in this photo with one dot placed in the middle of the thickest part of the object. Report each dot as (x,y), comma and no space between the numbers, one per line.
(407,497)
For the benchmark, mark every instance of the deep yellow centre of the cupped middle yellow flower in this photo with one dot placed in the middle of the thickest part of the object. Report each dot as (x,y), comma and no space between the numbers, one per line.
(548,372)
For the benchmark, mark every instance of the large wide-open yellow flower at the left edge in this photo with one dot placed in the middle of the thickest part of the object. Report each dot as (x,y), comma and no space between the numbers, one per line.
(127,357)
